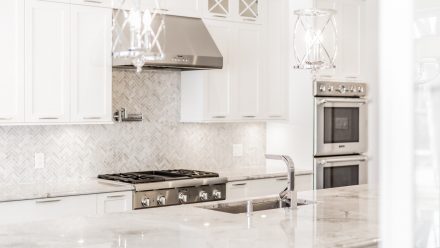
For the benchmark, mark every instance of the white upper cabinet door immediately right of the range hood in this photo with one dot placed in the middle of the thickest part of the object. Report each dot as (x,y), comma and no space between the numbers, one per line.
(217,95)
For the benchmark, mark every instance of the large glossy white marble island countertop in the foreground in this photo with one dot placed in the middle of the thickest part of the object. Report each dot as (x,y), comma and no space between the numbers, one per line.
(341,217)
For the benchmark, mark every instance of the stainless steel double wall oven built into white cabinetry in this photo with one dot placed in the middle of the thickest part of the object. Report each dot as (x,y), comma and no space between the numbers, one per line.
(340,134)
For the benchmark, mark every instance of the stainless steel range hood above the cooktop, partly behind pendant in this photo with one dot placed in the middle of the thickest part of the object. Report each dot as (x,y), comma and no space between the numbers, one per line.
(186,45)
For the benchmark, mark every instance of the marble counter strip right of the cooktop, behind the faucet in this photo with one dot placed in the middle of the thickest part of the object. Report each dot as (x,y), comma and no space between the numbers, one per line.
(253,173)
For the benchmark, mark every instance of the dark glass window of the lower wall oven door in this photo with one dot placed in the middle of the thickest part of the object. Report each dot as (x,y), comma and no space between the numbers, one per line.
(341,176)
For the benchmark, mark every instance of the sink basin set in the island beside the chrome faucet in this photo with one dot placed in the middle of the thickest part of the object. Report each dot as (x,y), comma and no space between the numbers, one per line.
(258,205)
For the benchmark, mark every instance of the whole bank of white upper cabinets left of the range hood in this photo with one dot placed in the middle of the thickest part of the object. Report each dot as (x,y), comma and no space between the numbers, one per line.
(57,63)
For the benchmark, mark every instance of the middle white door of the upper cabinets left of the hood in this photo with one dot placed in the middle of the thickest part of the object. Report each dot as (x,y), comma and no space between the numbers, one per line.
(47,62)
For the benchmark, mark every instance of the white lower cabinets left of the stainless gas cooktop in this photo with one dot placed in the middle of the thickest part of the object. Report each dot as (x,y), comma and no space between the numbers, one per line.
(53,208)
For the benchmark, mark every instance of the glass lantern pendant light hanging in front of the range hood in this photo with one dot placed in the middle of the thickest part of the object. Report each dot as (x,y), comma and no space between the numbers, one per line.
(139,27)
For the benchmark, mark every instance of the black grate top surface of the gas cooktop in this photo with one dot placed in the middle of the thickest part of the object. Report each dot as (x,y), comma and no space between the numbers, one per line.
(157,176)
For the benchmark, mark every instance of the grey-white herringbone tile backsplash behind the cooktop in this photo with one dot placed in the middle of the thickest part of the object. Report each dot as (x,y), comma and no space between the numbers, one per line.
(78,152)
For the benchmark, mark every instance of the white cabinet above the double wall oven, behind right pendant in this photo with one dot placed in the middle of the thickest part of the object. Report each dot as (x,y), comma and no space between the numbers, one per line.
(350,19)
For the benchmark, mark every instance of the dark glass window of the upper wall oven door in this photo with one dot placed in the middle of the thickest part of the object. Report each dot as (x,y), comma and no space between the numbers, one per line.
(341,125)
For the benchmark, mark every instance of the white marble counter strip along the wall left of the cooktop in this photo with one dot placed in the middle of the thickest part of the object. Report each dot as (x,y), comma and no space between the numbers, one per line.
(19,192)
